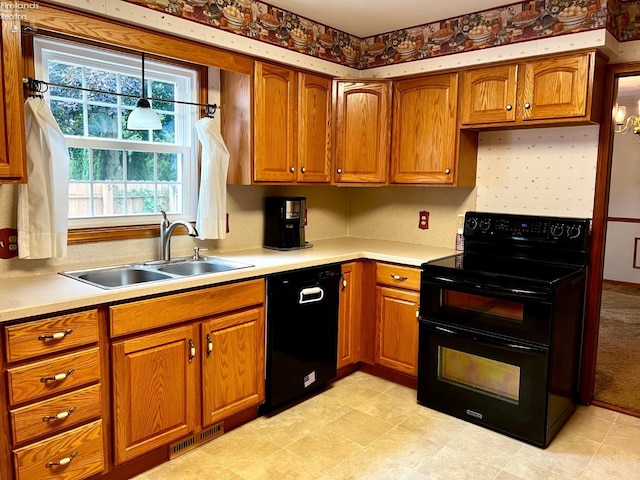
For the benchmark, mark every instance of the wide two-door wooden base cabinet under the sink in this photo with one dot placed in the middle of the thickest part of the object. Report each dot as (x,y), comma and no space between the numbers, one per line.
(171,382)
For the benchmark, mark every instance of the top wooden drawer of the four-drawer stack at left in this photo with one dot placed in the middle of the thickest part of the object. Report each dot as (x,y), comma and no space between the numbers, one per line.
(50,335)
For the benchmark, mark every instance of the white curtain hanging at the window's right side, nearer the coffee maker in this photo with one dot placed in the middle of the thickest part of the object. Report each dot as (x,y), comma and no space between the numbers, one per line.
(211,219)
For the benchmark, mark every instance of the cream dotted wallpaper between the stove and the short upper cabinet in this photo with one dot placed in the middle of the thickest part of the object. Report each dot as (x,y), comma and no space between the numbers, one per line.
(538,171)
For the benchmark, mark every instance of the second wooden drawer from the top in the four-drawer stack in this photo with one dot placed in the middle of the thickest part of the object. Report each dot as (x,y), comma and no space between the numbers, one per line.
(60,374)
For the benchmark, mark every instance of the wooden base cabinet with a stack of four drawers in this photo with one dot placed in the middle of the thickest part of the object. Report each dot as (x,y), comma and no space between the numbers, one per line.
(54,405)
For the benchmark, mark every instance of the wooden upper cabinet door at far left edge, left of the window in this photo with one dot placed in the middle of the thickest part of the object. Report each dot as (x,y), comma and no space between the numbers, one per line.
(13,166)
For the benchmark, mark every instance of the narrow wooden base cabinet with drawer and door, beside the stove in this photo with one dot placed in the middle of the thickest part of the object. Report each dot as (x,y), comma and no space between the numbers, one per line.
(397,301)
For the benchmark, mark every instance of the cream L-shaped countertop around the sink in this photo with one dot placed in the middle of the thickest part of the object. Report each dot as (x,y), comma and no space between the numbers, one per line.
(28,296)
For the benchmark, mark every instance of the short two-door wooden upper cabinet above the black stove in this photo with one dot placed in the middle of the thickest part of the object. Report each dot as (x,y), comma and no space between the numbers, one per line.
(555,90)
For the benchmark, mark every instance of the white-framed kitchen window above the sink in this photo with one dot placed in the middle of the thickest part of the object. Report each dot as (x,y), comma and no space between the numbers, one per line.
(121,177)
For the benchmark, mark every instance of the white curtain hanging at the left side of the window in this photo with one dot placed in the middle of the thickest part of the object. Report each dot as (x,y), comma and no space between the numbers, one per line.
(43,202)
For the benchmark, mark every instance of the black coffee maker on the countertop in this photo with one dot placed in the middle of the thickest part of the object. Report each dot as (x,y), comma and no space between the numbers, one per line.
(284,223)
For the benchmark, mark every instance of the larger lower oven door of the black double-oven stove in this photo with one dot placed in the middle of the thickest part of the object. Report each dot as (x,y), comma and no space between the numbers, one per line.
(497,383)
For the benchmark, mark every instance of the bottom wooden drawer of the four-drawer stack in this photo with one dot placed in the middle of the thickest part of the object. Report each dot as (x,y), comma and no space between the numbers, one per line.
(73,455)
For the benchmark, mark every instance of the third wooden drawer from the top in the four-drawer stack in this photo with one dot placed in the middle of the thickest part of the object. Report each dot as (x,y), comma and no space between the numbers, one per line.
(51,416)
